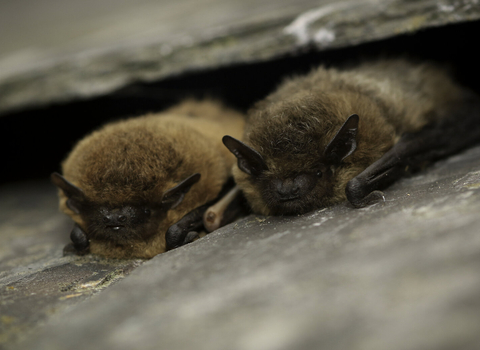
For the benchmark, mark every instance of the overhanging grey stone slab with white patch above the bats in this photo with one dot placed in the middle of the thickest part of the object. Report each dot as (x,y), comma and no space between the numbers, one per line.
(65,50)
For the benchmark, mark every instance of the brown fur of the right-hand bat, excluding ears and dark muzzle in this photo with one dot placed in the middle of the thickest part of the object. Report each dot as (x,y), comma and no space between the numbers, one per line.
(292,126)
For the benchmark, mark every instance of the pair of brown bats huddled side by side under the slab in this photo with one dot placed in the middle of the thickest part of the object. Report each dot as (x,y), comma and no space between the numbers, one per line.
(318,140)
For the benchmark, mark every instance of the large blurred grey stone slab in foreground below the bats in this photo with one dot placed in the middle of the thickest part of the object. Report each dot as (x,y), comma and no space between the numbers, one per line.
(402,274)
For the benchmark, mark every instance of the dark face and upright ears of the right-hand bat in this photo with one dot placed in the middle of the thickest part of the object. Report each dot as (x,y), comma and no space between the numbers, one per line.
(283,185)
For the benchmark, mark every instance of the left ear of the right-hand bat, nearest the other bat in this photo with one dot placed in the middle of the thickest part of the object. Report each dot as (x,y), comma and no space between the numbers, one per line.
(249,160)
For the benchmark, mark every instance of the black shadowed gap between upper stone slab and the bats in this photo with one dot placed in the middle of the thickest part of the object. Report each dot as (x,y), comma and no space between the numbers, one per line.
(34,142)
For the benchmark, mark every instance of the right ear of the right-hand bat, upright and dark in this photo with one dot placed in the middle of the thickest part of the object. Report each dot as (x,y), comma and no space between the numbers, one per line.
(344,142)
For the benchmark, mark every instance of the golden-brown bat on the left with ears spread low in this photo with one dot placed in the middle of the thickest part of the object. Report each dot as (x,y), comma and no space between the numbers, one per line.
(127,183)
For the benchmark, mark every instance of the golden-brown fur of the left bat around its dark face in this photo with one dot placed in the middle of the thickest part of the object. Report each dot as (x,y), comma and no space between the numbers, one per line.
(133,162)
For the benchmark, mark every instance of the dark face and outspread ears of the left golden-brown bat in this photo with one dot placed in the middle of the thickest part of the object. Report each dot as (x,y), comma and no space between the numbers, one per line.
(124,222)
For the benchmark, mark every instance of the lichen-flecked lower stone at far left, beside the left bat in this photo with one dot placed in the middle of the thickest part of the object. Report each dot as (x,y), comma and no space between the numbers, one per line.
(36,280)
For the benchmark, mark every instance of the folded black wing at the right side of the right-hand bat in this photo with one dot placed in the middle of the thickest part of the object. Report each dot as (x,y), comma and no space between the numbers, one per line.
(458,130)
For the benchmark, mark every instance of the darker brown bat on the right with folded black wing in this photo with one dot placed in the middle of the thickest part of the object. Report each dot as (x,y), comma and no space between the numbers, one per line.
(335,134)
